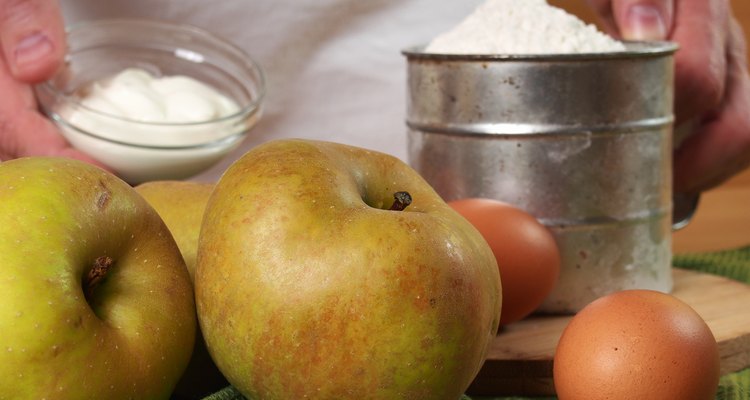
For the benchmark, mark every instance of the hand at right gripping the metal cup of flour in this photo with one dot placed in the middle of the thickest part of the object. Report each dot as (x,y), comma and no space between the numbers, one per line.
(712,86)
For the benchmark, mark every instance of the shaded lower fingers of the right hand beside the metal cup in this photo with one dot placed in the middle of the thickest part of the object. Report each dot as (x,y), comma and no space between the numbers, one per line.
(721,146)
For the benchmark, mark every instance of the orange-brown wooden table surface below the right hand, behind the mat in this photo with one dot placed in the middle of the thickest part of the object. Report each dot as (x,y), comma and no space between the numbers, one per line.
(722,220)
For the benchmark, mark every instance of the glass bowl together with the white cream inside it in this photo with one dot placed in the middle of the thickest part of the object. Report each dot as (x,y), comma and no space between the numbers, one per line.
(153,100)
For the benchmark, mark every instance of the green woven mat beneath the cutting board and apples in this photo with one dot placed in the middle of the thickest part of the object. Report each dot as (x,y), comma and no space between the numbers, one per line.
(734,264)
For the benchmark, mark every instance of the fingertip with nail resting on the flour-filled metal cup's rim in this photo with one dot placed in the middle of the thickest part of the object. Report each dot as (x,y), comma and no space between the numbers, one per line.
(643,19)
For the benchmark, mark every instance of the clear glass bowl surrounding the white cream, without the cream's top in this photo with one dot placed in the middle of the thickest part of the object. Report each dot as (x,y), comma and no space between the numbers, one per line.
(144,151)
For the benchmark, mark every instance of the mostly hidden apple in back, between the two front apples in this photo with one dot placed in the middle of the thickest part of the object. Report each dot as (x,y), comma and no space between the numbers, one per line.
(181,204)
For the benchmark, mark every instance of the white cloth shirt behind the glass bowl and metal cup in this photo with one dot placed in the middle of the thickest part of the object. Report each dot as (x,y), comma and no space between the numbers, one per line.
(334,67)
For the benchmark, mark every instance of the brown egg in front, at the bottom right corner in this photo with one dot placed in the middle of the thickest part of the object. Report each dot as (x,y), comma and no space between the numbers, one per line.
(637,344)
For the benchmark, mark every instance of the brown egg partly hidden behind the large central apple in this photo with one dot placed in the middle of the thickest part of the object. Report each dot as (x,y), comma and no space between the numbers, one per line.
(526,253)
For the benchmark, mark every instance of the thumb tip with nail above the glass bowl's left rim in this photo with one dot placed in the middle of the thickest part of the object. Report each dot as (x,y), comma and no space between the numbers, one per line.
(32,33)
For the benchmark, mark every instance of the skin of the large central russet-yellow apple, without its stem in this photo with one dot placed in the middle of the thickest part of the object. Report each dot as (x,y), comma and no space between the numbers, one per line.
(307,286)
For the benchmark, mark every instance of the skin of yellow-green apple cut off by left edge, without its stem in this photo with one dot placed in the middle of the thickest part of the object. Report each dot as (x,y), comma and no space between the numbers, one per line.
(132,335)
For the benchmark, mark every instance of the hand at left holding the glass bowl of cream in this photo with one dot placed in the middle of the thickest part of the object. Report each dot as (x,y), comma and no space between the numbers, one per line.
(32,37)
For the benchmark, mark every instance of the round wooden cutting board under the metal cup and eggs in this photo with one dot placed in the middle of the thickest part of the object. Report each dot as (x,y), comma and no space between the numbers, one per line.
(520,358)
